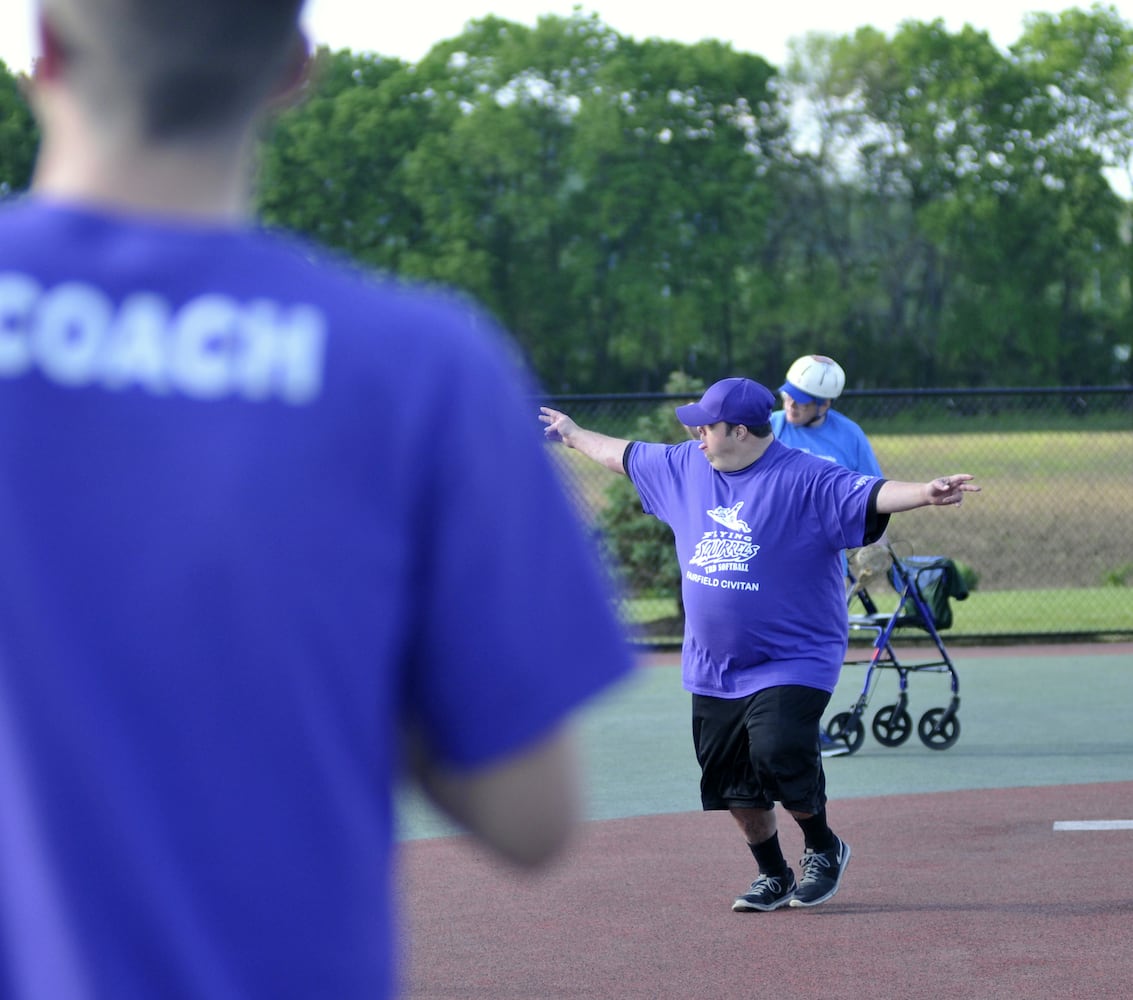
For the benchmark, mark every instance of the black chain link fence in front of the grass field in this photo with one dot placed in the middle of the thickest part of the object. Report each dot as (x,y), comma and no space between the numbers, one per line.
(1046,549)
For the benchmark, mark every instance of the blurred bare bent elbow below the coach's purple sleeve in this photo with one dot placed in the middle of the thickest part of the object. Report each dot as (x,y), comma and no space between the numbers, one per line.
(524,808)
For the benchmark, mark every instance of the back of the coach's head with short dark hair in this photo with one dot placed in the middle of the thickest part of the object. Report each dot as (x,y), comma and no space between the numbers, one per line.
(178,69)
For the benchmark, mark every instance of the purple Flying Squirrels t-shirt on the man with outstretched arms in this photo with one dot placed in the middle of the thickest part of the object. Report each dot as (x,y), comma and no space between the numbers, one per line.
(761,558)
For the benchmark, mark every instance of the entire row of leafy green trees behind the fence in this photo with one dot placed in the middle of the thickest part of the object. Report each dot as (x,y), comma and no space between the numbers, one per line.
(938,216)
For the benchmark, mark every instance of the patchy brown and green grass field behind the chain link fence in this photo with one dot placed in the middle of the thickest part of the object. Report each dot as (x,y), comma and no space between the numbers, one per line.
(1049,536)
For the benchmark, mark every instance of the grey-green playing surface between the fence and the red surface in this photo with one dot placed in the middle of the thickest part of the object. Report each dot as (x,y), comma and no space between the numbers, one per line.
(1029,716)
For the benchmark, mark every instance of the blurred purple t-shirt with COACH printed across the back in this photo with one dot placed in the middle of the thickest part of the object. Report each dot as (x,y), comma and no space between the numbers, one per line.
(258,512)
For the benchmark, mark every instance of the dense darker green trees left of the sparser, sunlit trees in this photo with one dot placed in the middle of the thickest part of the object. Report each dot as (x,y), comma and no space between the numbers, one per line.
(600,195)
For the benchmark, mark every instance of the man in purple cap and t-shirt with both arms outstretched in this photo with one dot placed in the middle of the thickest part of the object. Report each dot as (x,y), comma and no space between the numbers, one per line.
(760,531)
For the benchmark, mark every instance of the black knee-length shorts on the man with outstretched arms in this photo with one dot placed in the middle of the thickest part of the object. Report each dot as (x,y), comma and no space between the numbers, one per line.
(761,750)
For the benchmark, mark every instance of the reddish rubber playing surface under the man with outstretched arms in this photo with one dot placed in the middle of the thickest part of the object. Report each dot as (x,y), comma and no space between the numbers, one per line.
(969,895)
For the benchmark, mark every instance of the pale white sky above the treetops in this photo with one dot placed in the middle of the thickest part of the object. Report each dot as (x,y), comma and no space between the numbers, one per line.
(408,32)
